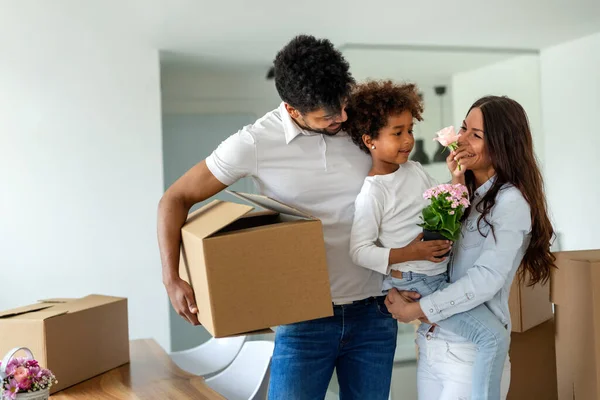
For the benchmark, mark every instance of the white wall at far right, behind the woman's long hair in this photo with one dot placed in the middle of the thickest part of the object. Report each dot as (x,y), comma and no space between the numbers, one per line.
(570,84)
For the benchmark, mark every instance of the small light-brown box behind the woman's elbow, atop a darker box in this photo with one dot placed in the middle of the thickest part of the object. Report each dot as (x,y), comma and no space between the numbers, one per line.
(529,306)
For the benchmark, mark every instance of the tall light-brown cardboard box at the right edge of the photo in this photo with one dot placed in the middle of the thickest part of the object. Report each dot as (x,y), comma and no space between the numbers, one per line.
(575,291)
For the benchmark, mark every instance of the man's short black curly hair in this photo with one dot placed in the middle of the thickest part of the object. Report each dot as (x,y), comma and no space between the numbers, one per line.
(311,74)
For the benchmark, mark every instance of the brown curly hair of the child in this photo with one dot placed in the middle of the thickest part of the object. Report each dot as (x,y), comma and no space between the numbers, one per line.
(373,102)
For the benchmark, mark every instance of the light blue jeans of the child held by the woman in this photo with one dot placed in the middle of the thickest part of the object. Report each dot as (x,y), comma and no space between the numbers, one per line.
(479,325)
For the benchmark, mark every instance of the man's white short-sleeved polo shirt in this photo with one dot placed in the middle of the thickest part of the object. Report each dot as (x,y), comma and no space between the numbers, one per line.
(316,173)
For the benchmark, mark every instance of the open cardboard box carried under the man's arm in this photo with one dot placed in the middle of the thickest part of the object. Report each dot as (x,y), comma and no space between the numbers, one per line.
(254,270)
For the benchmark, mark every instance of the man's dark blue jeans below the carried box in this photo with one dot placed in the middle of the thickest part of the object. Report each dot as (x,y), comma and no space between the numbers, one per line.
(359,341)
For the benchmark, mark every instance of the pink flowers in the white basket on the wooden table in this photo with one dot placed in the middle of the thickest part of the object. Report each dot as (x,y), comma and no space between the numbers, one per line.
(25,376)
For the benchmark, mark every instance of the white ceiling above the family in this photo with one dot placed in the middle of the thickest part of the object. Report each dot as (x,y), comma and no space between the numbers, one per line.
(251,32)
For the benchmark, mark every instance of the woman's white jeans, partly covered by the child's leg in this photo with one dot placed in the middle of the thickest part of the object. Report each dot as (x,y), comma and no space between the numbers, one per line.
(445,370)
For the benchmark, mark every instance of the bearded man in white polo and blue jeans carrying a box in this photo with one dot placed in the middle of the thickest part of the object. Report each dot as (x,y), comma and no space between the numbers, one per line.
(298,154)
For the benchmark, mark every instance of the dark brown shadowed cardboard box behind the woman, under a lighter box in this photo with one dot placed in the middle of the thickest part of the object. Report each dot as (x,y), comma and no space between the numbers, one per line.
(533,364)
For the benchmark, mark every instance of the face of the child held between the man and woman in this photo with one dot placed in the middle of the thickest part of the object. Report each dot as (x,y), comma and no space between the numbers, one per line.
(395,140)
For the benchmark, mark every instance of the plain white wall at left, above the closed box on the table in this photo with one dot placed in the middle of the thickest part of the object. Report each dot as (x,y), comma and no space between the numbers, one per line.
(81,161)
